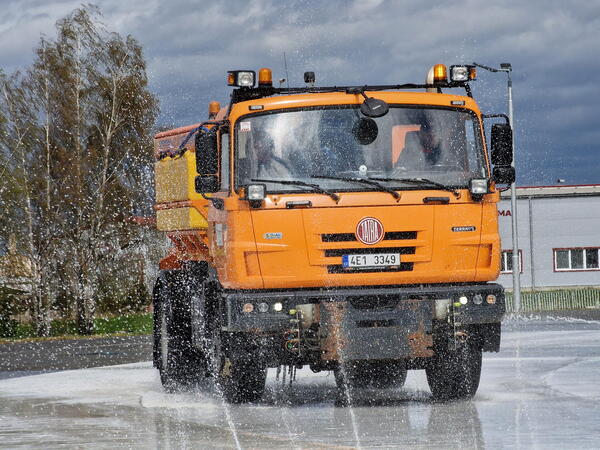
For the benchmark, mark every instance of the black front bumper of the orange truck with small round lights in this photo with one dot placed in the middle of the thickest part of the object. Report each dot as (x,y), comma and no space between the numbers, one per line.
(364,305)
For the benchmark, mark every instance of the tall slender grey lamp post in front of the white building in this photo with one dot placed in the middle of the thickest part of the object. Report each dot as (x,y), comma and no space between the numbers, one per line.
(506,67)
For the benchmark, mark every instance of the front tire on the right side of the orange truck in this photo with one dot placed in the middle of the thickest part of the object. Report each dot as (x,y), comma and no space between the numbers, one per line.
(454,375)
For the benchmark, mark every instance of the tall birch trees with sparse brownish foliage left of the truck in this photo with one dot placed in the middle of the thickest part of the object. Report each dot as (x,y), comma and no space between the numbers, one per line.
(76,144)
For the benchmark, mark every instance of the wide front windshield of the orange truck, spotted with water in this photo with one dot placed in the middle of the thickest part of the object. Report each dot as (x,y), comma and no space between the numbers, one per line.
(334,146)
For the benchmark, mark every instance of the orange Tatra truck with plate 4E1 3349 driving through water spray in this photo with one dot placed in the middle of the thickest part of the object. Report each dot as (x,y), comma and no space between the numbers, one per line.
(344,228)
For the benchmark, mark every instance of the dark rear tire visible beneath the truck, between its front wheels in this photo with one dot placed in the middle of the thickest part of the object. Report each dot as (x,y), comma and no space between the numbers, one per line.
(375,374)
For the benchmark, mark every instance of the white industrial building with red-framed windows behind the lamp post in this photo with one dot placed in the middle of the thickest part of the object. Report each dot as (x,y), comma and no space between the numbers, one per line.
(558,235)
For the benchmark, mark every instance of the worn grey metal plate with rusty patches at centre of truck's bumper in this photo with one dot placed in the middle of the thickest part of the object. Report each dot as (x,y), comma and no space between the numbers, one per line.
(353,333)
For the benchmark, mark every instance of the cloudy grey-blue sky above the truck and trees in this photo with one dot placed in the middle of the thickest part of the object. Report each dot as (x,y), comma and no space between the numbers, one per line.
(554,47)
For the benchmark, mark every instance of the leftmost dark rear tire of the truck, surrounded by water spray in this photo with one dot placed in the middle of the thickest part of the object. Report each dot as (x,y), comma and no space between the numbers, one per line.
(180,364)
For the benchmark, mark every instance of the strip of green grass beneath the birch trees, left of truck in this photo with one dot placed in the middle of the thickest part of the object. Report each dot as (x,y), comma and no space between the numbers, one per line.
(128,324)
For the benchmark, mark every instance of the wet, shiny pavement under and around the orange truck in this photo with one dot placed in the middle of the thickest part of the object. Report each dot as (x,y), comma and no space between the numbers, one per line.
(539,391)
